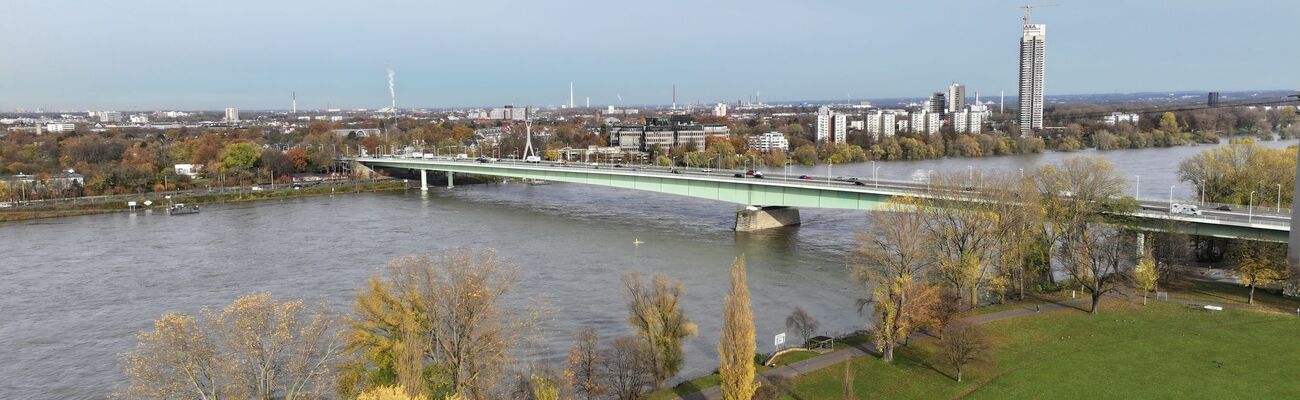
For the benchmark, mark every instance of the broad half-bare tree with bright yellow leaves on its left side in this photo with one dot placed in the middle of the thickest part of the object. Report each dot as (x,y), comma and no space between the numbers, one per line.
(435,327)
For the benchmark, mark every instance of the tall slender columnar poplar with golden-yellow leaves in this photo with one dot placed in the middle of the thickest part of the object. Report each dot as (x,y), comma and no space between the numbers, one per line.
(736,342)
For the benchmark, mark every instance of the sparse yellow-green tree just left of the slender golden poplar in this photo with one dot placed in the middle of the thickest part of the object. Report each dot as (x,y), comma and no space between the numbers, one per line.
(656,314)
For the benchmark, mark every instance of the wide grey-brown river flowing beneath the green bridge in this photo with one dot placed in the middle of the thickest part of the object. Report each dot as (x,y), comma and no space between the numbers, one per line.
(75,292)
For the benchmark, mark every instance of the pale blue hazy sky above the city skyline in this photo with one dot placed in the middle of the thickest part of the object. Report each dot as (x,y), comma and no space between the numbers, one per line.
(145,55)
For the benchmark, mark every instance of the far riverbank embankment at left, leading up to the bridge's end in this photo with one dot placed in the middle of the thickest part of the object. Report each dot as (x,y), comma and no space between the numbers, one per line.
(116,205)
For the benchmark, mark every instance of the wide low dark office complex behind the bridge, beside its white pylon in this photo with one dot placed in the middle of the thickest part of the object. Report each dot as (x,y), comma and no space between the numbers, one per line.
(665,133)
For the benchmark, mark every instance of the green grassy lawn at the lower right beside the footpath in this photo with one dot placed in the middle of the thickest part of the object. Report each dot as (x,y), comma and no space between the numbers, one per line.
(1160,351)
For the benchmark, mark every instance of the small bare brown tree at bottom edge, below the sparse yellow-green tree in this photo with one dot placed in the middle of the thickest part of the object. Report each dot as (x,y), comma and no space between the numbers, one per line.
(629,368)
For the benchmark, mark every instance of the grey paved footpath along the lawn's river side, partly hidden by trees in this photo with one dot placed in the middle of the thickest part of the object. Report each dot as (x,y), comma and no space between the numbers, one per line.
(866,349)
